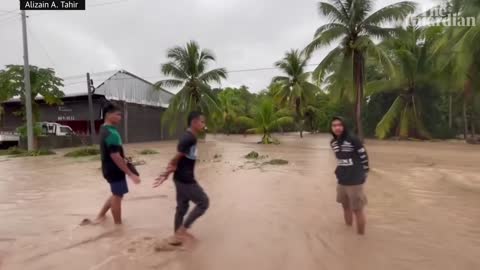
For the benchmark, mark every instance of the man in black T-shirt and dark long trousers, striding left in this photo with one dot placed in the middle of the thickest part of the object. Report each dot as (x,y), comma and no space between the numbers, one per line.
(187,188)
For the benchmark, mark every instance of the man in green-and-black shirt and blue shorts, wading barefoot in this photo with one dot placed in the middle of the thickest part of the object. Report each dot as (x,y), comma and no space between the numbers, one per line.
(114,165)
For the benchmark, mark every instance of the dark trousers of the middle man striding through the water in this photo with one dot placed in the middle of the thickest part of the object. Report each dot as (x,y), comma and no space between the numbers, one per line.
(185,194)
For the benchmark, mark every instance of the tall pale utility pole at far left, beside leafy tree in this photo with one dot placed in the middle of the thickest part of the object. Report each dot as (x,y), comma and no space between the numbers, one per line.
(27,86)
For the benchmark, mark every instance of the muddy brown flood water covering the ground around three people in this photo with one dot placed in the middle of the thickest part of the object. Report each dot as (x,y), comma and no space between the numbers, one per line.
(423,211)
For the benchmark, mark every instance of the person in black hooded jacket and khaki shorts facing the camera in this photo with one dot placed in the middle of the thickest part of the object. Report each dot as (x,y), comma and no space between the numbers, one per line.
(352,169)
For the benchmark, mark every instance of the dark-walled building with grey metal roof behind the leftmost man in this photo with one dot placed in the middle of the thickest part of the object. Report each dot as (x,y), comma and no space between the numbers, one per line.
(141,102)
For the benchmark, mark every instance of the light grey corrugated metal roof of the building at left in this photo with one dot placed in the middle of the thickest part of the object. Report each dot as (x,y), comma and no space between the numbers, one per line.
(125,86)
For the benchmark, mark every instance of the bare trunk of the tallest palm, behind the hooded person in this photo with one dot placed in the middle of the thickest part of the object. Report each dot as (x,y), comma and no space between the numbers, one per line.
(358,80)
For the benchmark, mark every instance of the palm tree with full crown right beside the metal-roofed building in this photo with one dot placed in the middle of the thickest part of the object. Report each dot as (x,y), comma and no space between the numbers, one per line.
(188,67)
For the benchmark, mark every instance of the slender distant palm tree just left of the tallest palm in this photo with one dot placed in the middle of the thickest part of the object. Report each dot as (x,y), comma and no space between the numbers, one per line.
(294,88)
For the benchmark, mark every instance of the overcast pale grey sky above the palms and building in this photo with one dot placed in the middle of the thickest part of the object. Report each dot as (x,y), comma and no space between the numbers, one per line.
(134,35)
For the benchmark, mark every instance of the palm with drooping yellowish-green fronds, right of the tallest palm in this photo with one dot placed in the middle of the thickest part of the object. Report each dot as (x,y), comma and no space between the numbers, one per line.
(411,53)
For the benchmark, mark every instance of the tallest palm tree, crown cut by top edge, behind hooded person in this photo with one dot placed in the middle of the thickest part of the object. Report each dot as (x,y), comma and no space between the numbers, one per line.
(353,22)
